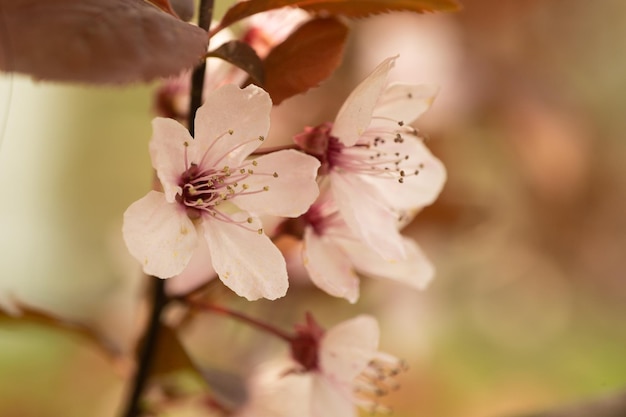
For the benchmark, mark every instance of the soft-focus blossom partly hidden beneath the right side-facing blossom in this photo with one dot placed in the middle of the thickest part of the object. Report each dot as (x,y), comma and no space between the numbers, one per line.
(331,254)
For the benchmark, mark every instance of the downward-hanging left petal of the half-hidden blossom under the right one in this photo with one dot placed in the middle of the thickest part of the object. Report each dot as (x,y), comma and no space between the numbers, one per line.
(328,266)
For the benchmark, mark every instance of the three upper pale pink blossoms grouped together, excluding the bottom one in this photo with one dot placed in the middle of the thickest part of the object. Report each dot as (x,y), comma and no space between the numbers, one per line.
(371,167)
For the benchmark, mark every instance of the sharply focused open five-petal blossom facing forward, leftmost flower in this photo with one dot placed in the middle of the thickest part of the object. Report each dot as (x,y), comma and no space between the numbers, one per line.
(212,191)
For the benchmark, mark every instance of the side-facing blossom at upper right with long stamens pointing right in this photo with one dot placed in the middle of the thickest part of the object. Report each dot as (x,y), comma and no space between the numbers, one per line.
(377,165)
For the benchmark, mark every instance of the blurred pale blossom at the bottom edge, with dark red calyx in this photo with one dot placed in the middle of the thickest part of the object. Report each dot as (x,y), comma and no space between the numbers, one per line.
(334,371)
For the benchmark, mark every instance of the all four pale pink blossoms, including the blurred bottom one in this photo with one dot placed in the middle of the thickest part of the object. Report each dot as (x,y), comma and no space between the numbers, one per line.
(345,188)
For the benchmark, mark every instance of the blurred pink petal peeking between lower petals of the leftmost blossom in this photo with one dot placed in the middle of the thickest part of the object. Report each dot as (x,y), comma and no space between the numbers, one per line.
(198,272)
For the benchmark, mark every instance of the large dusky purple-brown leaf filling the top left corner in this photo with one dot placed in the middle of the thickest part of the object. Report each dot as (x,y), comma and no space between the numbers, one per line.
(95,41)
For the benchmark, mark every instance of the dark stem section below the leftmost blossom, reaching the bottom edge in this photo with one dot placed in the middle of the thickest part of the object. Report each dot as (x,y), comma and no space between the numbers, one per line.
(146,353)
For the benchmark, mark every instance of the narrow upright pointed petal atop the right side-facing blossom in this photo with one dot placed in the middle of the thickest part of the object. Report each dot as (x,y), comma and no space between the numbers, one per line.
(356,113)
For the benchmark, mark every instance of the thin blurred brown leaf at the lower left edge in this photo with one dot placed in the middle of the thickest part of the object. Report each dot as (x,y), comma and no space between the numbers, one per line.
(22,313)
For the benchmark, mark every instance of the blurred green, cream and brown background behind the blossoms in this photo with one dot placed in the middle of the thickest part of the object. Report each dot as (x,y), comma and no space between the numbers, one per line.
(528,307)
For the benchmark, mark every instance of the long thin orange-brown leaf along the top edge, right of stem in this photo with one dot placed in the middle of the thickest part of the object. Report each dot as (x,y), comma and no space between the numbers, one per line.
(350,8)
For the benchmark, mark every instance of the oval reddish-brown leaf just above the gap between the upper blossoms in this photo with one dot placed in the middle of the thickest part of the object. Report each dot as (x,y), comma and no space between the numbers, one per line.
(307,57)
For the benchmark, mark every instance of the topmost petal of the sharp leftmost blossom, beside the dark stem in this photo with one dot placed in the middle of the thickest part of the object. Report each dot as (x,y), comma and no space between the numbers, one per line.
(230,125)
